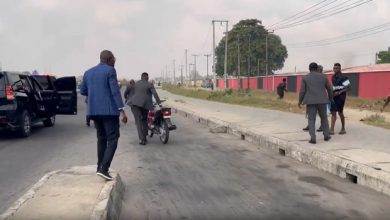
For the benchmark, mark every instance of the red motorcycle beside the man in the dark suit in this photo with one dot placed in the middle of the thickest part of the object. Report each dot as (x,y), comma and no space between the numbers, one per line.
(159,122)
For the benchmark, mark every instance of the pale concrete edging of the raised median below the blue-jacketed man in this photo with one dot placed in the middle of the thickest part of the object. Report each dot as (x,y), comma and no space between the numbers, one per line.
(109,202)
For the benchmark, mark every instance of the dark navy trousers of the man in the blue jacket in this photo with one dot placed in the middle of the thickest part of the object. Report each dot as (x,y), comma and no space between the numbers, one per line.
(107,129)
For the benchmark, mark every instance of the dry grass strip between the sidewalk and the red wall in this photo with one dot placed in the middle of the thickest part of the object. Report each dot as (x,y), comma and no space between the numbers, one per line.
(269,100)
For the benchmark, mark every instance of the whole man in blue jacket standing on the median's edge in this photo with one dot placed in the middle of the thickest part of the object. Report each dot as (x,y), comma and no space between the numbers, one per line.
(104,107)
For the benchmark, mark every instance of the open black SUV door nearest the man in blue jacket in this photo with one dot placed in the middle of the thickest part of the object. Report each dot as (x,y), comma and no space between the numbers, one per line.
(66,89)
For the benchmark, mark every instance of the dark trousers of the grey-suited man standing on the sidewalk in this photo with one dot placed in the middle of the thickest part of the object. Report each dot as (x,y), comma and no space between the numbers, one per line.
(312,113)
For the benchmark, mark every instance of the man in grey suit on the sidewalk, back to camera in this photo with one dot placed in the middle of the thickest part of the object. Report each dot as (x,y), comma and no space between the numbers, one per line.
(316,93)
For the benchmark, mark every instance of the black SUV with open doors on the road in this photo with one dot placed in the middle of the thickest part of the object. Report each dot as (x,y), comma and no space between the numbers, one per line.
(26,99)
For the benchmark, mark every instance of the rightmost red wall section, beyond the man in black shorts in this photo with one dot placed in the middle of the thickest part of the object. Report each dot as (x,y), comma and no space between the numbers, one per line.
(374,85)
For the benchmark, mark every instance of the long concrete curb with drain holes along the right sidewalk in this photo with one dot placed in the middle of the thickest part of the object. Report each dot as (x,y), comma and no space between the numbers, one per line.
(355,172)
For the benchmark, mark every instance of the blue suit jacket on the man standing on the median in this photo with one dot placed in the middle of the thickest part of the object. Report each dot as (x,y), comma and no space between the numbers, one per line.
(100,85)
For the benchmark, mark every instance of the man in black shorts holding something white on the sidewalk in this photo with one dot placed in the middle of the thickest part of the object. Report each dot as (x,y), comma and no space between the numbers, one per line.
(341,85)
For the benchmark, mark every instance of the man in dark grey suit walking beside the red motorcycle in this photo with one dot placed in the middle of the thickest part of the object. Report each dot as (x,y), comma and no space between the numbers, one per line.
(141,102)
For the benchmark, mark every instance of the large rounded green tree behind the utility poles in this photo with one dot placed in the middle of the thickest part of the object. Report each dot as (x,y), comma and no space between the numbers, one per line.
(247,43)
